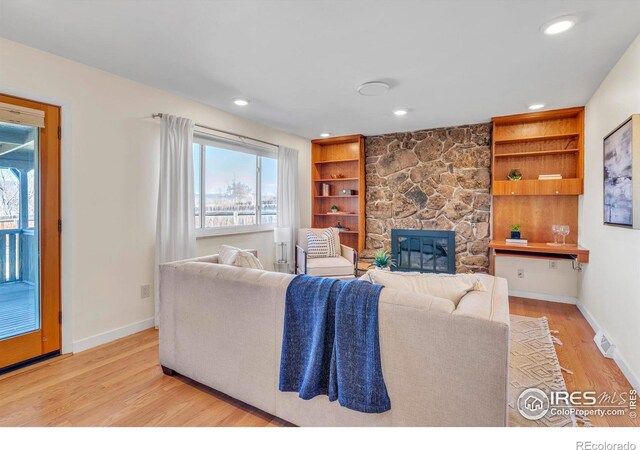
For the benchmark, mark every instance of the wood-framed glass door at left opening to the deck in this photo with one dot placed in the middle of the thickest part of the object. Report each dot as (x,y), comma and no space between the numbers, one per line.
(30,319)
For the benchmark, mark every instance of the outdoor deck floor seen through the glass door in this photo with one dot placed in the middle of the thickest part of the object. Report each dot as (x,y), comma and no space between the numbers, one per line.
(18,309)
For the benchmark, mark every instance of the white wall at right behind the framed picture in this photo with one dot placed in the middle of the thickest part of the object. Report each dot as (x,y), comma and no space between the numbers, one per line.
(610,288)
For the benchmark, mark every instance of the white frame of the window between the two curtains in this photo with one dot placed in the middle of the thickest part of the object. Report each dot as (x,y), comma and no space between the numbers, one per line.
(204,139)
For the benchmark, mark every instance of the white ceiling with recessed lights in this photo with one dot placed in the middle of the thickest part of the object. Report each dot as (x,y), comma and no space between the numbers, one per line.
(299,62)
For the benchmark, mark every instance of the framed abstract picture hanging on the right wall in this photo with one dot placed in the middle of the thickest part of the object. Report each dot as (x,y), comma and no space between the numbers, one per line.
(622,174)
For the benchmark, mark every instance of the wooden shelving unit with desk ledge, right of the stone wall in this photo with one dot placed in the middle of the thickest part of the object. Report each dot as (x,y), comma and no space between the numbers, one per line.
(548,142)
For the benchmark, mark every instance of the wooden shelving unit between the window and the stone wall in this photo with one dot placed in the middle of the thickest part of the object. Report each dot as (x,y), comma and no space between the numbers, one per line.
(343,158)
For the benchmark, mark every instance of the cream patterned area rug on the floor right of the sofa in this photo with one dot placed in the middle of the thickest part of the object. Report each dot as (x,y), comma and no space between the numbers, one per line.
(534,364)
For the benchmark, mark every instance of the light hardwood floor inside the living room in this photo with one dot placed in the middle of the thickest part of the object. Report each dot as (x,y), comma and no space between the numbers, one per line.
(121,384)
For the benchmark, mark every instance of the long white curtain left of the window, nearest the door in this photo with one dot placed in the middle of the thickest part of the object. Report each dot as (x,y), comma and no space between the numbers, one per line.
(175,235)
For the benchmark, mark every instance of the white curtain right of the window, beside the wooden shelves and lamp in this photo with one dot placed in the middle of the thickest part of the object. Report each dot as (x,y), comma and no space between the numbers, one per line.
(288,212)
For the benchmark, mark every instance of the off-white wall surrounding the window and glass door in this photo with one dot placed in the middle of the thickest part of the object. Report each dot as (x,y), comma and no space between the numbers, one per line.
(109,185)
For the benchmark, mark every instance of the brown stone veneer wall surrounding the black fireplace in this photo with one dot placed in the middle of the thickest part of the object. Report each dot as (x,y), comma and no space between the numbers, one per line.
(431,179)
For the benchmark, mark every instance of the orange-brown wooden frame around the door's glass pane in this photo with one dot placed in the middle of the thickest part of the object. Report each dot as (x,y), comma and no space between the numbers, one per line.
(48,339)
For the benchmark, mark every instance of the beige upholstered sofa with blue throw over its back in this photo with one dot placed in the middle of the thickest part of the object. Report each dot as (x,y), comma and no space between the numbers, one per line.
(443,366)
